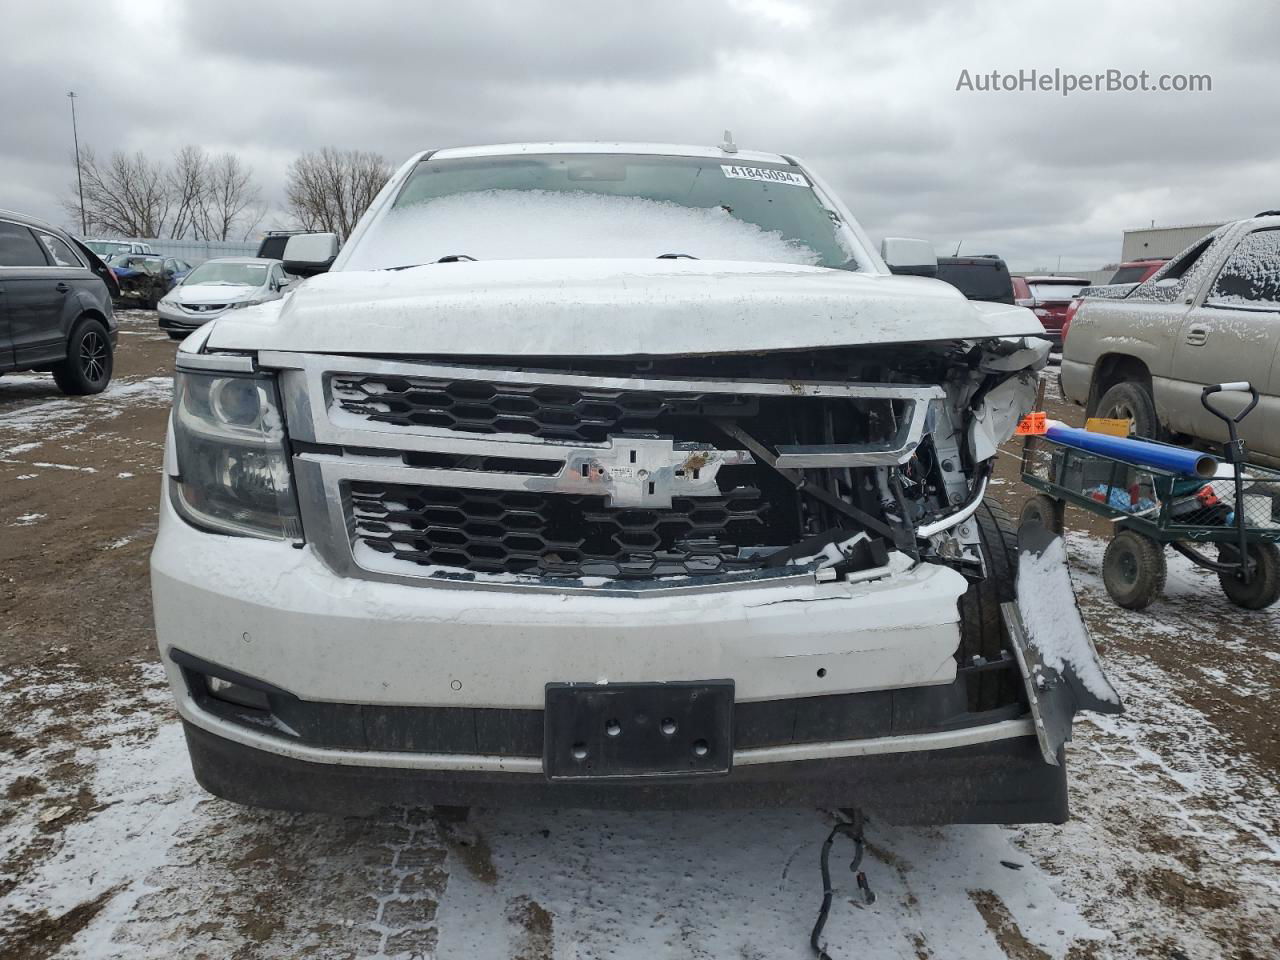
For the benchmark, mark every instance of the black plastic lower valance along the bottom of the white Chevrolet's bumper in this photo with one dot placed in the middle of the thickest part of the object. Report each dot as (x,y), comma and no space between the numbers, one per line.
(1003,781)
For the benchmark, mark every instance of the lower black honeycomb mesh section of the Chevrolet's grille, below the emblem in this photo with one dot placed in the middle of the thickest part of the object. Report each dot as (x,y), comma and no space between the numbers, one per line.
(561,536)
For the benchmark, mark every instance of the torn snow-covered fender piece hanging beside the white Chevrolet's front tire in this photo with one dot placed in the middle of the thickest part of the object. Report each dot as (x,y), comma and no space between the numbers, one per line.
(1055,652)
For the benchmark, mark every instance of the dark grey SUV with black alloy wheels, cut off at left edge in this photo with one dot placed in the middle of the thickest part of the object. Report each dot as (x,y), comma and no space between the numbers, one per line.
(56,307)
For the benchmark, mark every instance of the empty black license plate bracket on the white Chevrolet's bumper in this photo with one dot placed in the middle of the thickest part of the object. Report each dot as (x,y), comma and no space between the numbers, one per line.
(637,732)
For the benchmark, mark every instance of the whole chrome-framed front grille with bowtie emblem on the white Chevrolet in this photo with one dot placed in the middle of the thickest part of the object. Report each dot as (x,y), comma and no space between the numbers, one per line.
(418,469)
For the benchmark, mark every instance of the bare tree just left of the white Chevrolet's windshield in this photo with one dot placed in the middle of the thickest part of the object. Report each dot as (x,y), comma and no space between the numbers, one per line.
(330,190)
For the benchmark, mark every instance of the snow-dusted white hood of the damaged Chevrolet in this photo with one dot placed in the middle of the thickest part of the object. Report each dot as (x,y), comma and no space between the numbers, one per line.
(611,308)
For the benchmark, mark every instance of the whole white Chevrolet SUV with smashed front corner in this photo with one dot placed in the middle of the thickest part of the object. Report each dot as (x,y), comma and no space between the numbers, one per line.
(612,476)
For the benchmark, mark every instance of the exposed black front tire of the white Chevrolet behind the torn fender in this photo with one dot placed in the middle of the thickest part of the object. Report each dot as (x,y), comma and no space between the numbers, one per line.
(982,628)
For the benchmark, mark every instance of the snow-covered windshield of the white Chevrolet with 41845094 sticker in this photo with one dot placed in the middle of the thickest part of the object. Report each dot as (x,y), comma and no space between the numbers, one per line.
(600,205)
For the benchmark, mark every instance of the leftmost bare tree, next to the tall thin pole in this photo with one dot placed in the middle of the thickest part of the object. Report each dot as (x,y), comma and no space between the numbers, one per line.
(129,195)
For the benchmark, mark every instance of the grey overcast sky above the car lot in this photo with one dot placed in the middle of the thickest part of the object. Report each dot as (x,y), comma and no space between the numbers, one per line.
(865,92)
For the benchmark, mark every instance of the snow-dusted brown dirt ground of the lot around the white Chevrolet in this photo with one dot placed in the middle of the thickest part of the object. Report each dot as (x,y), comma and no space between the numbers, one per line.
(108,849)
